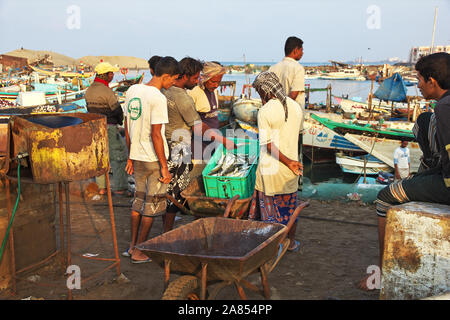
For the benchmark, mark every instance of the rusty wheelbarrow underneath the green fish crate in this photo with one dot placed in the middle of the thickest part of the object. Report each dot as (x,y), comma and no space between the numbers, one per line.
(202,206)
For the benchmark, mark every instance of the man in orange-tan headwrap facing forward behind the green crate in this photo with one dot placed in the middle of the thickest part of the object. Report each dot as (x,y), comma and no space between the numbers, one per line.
(206,99)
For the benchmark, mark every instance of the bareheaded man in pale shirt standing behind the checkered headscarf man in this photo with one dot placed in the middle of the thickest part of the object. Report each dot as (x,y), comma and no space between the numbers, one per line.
(292,77)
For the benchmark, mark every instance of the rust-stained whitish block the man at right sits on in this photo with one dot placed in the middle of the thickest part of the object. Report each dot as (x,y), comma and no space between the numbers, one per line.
(416,259)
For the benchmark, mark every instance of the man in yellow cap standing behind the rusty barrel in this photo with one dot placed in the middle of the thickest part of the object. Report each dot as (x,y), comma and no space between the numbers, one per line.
(101,99)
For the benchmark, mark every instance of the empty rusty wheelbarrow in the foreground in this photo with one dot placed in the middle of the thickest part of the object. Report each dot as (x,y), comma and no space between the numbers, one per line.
(218,250)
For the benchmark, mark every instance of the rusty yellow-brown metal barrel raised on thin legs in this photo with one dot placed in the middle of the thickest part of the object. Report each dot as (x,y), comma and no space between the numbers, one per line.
(60,147)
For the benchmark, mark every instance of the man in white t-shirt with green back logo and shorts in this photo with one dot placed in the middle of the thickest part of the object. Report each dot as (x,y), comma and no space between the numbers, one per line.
(146,114)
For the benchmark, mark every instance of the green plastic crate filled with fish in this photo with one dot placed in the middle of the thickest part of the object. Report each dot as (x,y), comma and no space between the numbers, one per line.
(227,187)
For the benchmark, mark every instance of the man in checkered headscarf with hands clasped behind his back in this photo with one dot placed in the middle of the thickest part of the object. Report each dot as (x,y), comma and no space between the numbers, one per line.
(279,125)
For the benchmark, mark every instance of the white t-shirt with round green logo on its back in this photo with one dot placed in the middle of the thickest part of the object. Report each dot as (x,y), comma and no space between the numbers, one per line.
(145,105)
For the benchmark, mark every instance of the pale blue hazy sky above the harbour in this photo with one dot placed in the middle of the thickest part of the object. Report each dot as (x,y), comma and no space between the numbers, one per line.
(341,30)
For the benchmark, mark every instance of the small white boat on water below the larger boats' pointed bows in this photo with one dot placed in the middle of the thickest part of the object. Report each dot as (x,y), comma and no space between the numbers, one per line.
(357,165)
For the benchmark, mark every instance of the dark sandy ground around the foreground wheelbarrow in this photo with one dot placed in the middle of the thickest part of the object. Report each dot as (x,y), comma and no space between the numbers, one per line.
(338,243)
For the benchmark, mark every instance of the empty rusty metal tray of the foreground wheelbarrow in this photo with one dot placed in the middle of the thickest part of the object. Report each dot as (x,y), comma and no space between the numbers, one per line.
(232,248)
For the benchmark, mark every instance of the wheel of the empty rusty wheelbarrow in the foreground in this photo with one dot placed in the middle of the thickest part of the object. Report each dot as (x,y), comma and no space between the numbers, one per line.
(183,288)
